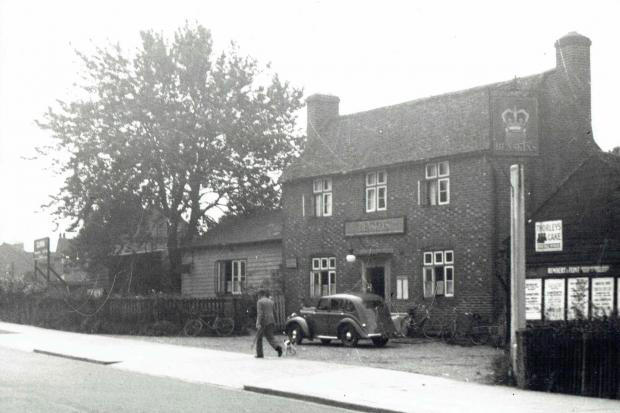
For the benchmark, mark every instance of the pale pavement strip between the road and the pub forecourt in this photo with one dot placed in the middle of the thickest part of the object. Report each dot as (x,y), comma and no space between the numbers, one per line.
(353,387)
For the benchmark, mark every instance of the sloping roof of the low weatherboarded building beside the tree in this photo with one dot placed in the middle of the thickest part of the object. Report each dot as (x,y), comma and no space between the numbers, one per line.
(261,226)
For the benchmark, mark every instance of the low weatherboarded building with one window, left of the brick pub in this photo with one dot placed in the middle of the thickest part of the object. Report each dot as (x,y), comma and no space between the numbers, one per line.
(238,256)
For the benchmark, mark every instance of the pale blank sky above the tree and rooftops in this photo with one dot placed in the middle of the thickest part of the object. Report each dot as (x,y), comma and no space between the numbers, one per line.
(368,53)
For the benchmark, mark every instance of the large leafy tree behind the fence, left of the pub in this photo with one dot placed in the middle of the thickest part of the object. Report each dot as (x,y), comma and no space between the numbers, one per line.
(176,127)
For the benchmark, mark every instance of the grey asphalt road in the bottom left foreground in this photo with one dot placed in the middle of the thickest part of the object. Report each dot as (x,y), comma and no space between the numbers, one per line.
(31,382)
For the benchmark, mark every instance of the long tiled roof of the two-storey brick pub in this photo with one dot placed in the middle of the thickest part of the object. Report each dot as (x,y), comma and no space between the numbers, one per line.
(437,126)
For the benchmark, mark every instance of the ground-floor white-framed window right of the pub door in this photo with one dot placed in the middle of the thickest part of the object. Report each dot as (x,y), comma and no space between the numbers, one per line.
(438,273)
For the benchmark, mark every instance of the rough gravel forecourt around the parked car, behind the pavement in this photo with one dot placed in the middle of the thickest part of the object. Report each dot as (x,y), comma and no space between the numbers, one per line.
(423,356)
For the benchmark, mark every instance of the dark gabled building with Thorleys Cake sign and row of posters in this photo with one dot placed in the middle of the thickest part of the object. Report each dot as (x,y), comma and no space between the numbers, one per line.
(573,246)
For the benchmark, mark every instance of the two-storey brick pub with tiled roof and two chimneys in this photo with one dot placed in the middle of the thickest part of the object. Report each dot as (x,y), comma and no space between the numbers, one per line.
(419,192)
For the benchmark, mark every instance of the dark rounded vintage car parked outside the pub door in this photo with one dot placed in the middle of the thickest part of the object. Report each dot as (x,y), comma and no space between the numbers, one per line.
(345,317)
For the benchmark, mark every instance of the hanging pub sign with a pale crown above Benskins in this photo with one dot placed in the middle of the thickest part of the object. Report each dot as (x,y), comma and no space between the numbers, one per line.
(515,124)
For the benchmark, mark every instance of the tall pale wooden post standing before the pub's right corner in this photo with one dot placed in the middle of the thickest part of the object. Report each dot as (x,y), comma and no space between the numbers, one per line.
(517,264)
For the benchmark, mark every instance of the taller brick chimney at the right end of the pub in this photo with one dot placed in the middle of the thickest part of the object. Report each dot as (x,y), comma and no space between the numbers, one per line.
(572,53)
